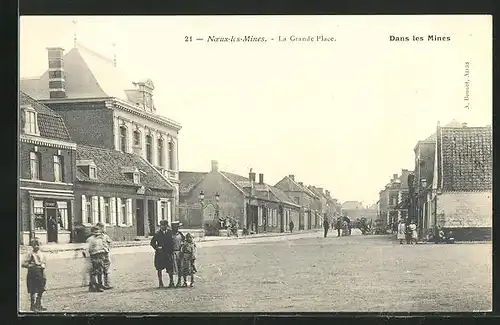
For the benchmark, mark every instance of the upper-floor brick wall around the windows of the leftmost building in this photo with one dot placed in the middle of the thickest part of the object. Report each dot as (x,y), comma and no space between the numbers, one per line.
(47,162)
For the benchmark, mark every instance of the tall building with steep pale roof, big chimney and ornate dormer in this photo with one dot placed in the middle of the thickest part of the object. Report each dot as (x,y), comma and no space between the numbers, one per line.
(103,108)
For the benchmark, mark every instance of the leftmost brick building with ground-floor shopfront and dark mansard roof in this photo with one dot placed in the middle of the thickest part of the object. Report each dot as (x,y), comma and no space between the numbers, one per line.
(47,159)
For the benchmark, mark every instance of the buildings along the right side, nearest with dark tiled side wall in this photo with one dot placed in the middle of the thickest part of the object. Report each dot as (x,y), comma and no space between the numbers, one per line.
(451,186)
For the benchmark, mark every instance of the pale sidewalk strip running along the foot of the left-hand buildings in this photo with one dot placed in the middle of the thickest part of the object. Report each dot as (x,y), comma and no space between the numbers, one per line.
(59,248)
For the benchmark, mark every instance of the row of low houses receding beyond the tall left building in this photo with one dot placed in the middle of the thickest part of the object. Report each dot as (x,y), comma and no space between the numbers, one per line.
(256,205)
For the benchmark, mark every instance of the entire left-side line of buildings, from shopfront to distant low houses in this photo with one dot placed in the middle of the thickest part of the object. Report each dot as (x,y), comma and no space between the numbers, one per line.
(94,149)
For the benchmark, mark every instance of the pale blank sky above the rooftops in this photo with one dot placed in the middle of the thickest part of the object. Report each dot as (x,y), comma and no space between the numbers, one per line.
(343,115)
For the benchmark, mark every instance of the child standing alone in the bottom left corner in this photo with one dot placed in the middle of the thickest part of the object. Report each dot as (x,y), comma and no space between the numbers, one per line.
(35,261)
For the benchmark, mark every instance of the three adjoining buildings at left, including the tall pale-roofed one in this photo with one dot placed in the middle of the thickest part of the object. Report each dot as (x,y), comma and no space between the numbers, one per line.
(93,149)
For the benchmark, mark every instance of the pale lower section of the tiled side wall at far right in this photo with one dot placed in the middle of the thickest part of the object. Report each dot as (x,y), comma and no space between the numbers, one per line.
(465,209)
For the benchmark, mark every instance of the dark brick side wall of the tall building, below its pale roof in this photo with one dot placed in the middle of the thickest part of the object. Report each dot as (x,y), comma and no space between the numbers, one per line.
(88,123)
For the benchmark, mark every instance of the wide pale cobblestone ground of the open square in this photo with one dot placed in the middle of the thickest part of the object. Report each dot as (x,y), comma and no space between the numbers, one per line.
(356,273)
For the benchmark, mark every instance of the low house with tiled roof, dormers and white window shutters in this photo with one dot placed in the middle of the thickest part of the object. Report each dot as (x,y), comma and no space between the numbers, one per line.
(122,190)
